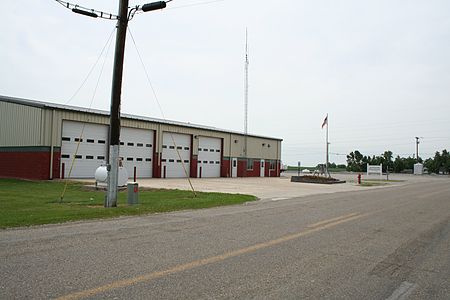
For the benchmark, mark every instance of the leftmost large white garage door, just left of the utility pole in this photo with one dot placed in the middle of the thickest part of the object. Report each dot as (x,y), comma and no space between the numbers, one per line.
(91,151)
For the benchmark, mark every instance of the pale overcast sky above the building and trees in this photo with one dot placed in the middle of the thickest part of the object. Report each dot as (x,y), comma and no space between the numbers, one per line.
(380,69)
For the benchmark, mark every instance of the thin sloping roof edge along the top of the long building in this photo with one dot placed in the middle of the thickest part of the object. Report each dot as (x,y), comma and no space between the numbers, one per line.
(42,104)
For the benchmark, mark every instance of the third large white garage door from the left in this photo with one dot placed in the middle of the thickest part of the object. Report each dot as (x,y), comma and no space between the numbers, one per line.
(171,162)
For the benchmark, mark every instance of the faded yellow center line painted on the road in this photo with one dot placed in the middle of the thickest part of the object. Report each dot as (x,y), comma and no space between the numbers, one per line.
(214,259)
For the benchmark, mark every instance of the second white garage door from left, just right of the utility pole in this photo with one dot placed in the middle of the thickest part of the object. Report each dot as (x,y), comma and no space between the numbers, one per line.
(136,150)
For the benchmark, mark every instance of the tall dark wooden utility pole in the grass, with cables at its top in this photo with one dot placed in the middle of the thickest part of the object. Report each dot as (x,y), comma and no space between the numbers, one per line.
(114,130)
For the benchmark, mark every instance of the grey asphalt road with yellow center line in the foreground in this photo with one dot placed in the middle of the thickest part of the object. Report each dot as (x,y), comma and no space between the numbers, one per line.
(390,243)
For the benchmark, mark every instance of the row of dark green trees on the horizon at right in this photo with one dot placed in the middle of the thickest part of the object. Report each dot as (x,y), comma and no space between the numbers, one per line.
(357,162)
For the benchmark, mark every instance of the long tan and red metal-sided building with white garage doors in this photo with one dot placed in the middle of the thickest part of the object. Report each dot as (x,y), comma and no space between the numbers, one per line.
(40,140)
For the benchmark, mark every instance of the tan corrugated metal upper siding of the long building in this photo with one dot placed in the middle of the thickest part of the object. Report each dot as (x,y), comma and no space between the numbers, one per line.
(44,125)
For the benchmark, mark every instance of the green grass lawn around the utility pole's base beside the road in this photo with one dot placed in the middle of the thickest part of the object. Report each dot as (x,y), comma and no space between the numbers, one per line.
(24,203)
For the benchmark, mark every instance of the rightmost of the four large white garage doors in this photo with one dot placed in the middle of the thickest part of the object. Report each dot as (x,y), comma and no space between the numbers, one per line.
(209,155)
